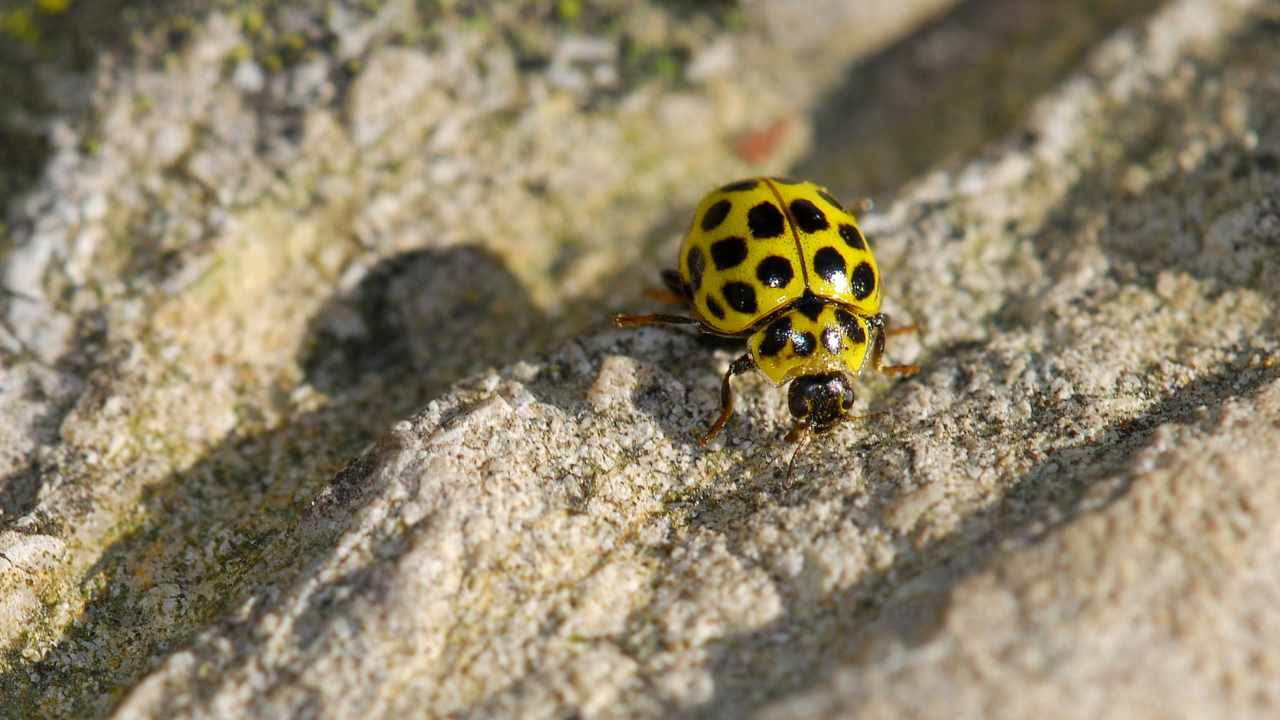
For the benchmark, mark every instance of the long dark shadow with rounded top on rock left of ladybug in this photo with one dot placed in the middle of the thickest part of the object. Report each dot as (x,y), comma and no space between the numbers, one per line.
(380,350)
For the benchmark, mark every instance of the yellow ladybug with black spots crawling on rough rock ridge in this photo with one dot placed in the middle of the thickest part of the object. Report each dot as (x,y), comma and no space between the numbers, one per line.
(784,266)
